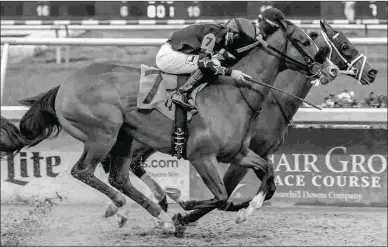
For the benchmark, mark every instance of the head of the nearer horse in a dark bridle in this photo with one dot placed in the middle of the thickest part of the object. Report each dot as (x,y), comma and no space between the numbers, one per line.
(299,52)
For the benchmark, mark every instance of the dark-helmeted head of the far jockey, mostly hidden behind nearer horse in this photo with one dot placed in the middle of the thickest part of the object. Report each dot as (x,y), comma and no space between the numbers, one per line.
(267,20)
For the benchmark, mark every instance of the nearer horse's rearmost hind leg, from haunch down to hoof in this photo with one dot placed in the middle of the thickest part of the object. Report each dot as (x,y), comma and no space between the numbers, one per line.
(97,127)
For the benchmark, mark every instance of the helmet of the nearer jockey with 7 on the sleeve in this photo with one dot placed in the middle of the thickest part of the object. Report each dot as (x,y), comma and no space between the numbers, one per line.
(240,29)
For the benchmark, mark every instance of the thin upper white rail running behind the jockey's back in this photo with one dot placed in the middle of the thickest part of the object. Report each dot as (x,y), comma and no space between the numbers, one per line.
(137,41)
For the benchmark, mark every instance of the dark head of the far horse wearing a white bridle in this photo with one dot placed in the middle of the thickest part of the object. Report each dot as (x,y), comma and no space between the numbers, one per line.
(343,54)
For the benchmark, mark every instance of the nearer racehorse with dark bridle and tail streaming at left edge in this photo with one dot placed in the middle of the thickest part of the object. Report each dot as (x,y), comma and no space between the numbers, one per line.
(97,106)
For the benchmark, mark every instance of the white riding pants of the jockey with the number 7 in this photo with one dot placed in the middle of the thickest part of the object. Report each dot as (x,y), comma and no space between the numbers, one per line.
(175,62)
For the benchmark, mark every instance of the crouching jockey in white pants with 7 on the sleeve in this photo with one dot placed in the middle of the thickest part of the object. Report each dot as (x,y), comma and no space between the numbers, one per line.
(199,48)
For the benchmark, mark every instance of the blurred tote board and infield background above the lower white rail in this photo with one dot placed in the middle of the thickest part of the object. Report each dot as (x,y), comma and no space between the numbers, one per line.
(32,69)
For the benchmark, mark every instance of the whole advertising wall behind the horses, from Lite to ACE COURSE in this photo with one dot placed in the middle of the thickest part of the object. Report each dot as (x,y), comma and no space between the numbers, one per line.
(313,167)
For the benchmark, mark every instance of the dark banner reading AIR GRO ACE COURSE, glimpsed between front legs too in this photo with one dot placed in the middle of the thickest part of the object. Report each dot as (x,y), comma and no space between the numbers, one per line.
(322,166)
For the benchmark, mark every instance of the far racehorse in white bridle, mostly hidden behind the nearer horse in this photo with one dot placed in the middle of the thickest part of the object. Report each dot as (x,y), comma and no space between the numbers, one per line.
(278,110)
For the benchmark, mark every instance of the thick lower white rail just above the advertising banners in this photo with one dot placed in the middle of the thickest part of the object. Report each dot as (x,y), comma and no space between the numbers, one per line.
(337,116)
